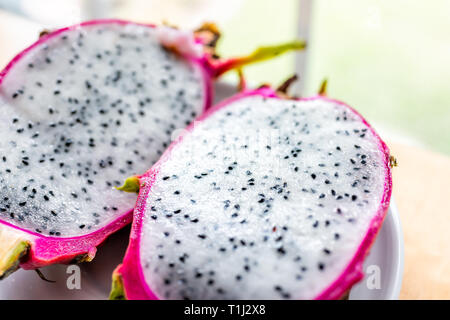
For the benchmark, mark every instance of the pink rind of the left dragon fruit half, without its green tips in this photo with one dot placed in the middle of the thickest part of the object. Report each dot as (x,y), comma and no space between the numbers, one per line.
(46,250)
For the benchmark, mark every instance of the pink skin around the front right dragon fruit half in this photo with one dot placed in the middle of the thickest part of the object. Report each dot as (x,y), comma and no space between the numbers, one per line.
(129,281)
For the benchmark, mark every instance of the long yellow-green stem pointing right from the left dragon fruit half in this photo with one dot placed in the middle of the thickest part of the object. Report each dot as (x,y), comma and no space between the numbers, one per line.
(260,54)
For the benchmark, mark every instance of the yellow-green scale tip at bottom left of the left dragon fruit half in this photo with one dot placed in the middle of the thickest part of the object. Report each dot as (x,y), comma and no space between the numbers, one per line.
(13,248)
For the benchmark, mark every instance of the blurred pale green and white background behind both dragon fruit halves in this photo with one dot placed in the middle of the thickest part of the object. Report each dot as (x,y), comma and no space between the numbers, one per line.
(390,59)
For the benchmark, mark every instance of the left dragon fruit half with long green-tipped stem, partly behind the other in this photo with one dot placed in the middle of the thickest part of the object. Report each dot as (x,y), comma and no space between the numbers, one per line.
(80,109)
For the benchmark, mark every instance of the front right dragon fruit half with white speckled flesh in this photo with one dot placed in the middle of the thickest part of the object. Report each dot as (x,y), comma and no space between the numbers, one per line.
(264,197)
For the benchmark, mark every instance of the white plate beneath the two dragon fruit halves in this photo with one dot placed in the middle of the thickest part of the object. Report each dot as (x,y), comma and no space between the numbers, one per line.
(385,261)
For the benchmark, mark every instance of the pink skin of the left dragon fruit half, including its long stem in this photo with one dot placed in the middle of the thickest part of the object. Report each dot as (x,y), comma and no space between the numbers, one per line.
(28,249)
